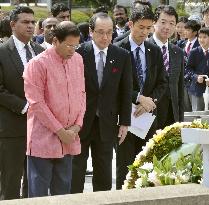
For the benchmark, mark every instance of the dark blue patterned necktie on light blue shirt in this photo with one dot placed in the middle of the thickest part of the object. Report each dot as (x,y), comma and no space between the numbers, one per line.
(139,69)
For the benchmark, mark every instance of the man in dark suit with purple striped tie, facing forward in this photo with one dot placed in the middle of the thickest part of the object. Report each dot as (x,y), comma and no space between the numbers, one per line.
(171,107)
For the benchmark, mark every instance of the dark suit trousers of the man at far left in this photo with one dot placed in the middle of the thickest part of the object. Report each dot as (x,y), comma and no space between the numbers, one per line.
(12,155)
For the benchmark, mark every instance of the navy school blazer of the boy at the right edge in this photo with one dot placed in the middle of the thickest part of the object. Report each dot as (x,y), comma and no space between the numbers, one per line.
(197,65)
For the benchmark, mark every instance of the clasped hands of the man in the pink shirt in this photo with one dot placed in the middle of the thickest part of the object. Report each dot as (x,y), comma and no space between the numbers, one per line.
(69,135)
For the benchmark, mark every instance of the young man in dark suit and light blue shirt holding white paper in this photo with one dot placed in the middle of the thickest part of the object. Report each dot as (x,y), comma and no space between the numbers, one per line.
(145,95)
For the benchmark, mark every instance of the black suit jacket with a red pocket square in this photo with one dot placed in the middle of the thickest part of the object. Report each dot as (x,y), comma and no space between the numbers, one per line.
(113,99)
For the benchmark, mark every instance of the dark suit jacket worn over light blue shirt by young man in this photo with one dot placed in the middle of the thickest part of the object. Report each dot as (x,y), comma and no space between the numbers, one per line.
(155,82)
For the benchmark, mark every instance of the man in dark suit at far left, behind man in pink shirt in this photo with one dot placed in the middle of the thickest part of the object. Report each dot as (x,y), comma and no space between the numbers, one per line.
(14,54)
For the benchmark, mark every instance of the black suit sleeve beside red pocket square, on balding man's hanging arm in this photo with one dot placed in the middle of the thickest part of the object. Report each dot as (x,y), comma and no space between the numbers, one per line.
(126,86)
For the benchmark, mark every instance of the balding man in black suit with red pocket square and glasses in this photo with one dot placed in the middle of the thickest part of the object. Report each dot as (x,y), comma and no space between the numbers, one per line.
(108,80)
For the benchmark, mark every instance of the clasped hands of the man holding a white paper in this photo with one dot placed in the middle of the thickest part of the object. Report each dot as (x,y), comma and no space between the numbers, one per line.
(146,104)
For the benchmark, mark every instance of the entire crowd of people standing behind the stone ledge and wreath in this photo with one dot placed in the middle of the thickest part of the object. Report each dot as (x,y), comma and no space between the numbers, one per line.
(66,88)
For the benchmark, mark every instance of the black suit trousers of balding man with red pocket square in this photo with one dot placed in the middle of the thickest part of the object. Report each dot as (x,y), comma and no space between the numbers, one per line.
(102,152)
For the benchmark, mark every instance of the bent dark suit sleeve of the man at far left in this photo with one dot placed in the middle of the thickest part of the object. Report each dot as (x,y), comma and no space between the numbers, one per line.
(9,100)
